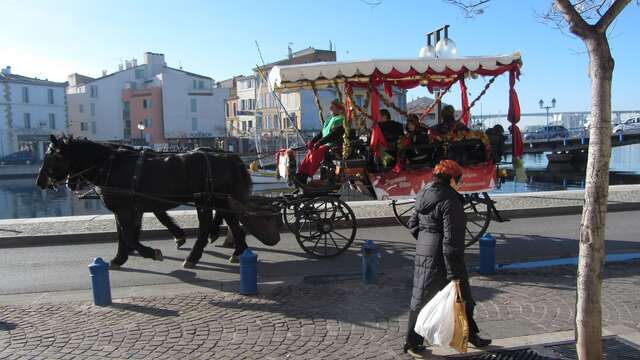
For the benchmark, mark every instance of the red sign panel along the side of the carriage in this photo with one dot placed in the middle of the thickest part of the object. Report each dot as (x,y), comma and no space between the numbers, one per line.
(408,183)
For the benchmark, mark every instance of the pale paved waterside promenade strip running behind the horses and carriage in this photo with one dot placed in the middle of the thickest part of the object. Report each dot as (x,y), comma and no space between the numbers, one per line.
(373,212)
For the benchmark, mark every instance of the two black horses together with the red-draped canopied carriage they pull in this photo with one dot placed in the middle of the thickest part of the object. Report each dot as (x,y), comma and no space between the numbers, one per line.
(131,182)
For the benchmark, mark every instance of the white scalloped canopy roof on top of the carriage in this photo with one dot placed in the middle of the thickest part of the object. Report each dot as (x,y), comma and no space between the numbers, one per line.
(287,74)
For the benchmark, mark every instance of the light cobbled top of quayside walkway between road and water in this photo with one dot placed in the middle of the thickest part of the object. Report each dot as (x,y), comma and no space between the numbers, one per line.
(105,223)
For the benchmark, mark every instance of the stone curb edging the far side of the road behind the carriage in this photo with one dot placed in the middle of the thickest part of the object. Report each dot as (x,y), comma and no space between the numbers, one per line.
(111,236)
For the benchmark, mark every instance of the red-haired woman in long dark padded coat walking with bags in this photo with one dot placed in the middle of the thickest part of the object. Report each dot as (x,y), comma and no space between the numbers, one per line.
(438,224)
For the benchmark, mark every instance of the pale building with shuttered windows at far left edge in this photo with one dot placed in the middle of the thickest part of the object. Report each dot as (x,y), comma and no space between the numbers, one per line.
(30,110)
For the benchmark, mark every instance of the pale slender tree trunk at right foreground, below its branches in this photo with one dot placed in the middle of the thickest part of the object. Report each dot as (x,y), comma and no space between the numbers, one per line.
(588,326)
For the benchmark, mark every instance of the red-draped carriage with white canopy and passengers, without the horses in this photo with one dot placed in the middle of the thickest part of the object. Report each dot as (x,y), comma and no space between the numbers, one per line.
(353,167)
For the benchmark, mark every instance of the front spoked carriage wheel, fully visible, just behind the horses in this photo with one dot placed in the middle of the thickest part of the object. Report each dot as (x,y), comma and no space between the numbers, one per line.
(326,226)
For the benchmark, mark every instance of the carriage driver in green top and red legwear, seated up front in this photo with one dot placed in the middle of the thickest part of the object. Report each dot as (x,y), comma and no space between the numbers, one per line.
(329,138)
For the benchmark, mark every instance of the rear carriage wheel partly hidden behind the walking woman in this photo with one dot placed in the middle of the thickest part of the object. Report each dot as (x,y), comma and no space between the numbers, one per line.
(476,209)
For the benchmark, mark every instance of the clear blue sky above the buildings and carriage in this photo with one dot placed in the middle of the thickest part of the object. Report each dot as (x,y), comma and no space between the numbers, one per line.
(216,38)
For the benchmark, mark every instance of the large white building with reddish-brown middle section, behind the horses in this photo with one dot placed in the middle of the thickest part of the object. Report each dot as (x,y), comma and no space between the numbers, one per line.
(172,104)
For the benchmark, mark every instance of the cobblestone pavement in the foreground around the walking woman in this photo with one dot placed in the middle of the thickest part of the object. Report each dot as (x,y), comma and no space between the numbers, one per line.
(333,319)
